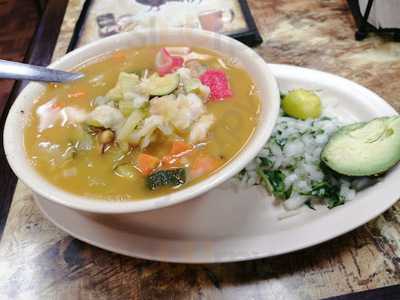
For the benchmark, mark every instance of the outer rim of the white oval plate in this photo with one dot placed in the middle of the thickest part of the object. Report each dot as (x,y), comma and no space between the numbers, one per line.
(365,214)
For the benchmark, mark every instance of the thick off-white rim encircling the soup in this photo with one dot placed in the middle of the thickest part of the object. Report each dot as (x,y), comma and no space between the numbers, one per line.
(94,205)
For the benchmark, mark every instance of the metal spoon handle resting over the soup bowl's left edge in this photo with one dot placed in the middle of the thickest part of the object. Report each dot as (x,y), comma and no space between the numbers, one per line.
(15,70)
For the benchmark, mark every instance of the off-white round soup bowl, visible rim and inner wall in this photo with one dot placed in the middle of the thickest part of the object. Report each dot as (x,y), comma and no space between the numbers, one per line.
(254,64)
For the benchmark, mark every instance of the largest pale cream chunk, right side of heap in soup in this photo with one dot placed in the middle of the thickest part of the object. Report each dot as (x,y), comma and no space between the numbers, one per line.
(182,112)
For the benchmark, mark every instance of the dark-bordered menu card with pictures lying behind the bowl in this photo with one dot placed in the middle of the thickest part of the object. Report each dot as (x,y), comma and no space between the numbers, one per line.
(104,18)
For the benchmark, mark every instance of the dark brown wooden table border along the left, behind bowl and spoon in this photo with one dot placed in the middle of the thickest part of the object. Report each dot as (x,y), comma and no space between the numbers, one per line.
(39,53)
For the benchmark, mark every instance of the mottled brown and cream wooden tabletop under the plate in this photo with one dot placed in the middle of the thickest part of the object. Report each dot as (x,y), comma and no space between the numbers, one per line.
(38,261)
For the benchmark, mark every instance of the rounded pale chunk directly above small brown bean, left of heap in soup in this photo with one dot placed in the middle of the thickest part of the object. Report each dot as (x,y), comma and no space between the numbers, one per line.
(105,116)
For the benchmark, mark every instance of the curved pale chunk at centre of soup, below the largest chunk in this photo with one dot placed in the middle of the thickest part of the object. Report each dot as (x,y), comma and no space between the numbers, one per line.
(143,135)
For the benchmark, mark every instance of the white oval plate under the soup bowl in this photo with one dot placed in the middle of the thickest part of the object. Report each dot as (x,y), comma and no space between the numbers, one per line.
(227,224)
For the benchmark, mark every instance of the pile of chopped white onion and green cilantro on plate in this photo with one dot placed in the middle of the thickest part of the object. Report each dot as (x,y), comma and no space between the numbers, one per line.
(289,165)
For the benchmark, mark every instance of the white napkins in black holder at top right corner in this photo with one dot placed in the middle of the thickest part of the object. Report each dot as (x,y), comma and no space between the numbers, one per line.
(384,13)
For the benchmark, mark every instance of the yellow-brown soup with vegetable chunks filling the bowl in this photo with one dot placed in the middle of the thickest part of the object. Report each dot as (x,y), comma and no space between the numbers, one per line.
(142,123)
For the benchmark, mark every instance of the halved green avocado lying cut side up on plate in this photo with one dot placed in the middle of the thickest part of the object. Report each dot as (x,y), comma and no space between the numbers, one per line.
(364,149)
